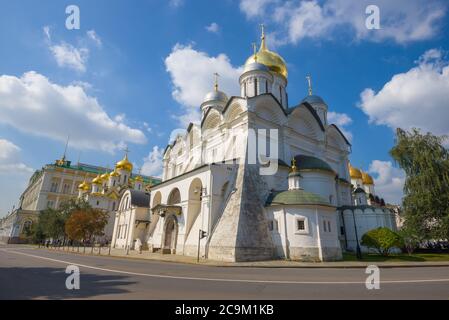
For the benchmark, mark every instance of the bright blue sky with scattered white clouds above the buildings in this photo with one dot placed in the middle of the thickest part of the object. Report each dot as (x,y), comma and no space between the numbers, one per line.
(123,79)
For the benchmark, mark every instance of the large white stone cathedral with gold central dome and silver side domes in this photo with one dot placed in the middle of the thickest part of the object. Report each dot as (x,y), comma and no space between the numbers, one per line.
(219,197)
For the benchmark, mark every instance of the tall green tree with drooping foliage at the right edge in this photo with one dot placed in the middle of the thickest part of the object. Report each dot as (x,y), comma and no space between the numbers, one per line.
(426,191)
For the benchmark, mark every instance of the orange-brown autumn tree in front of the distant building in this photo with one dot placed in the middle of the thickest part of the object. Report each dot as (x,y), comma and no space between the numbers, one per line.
(85,224)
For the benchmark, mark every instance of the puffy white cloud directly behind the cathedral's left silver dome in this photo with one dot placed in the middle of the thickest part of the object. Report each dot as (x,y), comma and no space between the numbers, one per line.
(191,72)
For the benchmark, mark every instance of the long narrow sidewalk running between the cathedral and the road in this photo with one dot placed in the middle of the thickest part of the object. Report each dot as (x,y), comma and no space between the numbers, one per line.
(145,255)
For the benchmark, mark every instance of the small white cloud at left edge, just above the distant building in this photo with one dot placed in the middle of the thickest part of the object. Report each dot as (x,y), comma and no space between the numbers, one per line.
(10,162)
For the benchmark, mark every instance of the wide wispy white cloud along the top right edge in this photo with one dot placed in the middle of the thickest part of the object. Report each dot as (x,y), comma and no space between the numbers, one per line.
(401,21)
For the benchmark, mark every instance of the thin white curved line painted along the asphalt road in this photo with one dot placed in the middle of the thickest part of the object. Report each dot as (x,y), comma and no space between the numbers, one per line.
(218,279)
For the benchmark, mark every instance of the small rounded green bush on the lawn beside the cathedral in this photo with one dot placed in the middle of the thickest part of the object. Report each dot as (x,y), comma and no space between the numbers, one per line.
(382,239)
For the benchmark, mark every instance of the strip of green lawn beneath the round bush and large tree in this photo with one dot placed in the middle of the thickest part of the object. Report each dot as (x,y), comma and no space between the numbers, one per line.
(415,257)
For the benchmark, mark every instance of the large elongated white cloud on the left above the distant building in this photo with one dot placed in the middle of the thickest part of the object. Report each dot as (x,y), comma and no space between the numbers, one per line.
(35,105)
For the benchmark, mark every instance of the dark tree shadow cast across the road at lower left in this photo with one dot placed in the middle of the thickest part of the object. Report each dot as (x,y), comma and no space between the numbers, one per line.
(49,283)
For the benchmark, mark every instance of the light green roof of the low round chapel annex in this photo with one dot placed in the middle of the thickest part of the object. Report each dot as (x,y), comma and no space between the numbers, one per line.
(298,197)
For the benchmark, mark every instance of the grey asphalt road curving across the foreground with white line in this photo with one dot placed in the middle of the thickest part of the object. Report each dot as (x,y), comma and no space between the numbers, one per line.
(27,273)
